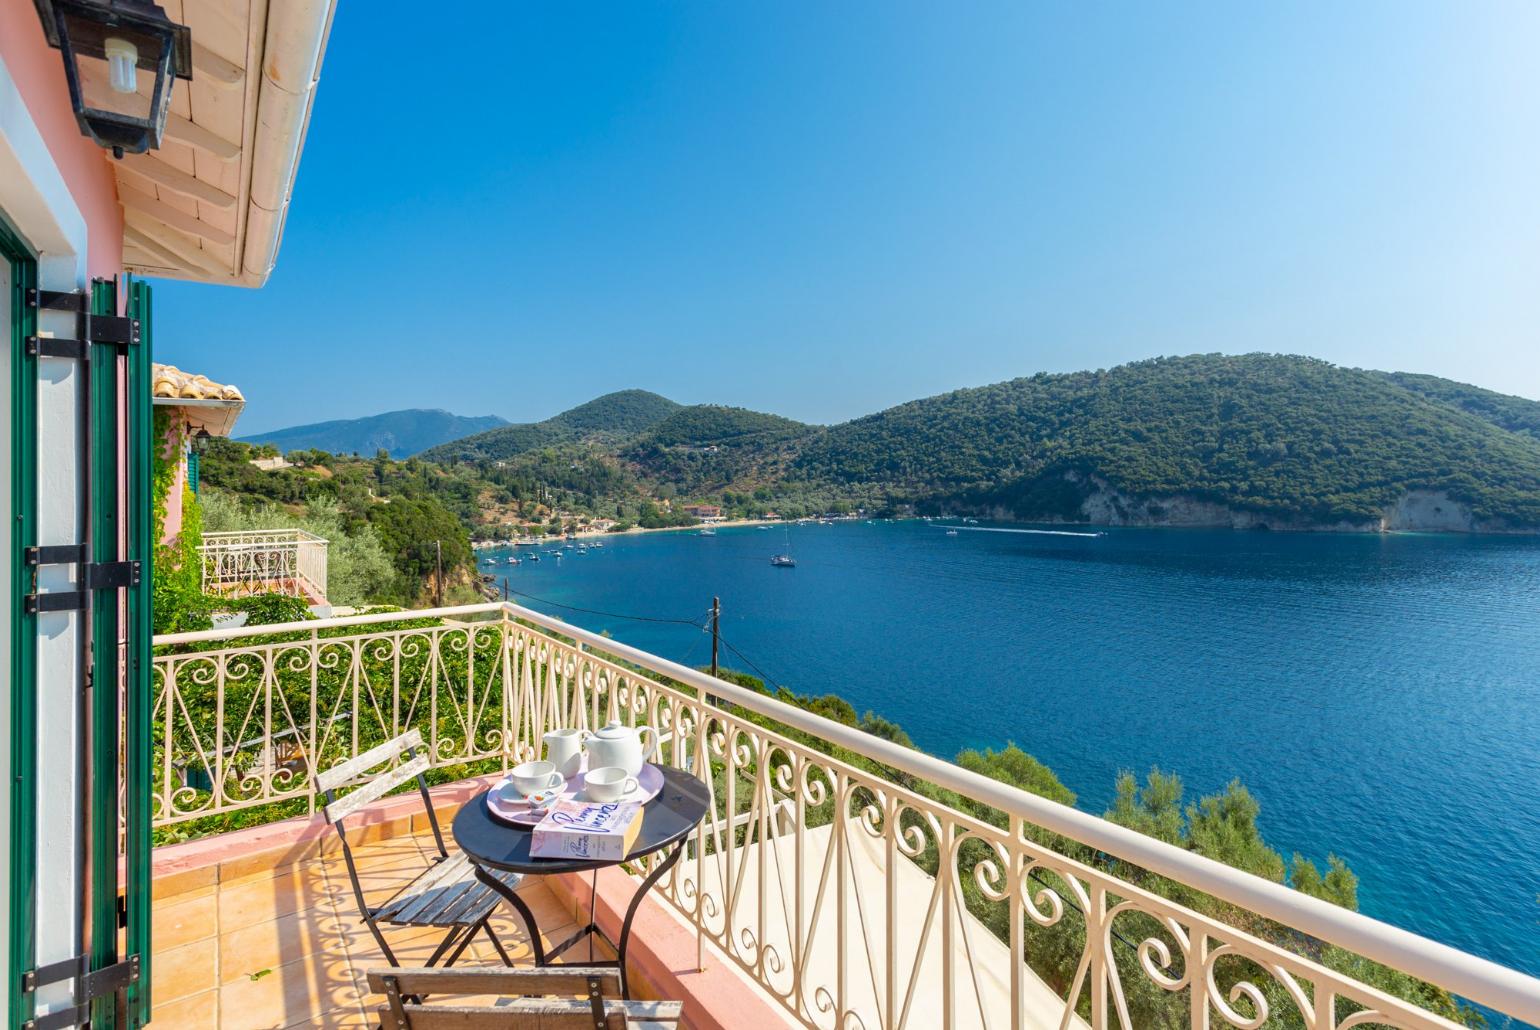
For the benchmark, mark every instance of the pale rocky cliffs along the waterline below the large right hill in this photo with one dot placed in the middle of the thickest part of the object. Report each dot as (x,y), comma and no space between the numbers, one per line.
(1418,512)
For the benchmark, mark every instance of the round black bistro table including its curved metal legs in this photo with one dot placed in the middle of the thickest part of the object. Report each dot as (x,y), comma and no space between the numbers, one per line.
(494,844)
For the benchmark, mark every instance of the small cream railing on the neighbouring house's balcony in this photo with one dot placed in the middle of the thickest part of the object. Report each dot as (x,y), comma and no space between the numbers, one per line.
(247,563)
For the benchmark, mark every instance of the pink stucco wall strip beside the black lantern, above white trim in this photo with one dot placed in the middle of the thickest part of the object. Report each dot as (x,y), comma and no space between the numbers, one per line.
(39,76)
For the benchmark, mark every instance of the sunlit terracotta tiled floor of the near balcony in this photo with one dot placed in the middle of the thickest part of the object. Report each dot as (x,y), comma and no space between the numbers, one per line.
(286,948)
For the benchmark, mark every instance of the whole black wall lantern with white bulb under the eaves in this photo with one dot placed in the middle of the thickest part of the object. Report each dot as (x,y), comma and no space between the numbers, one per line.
(122,59)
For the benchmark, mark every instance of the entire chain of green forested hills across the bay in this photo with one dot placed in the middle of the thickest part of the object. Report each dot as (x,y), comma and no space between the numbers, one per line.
(1247,441)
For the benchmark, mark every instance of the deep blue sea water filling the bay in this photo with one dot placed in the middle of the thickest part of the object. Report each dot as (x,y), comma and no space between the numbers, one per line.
(1379,695)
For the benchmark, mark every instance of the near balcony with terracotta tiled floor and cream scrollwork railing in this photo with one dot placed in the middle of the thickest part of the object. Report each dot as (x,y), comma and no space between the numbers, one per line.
(839,880)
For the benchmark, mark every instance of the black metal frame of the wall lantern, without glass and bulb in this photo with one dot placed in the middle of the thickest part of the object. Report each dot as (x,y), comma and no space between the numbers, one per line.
(82,28)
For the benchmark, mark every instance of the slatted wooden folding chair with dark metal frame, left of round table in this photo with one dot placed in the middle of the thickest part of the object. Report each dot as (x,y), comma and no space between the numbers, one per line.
(447,892)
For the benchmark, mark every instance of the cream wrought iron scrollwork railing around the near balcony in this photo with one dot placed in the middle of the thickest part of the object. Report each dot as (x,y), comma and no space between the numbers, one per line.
(860,883)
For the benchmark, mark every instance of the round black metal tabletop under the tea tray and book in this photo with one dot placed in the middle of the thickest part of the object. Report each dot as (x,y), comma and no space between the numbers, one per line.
(666,820)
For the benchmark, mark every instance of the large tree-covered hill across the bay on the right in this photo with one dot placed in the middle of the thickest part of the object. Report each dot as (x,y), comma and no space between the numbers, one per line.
(1290,438)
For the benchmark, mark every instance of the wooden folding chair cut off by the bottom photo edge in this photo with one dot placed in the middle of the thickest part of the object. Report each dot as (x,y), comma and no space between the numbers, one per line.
(546,998)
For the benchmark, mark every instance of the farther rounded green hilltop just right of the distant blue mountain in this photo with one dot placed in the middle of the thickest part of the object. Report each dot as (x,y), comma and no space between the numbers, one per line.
(609,420)
